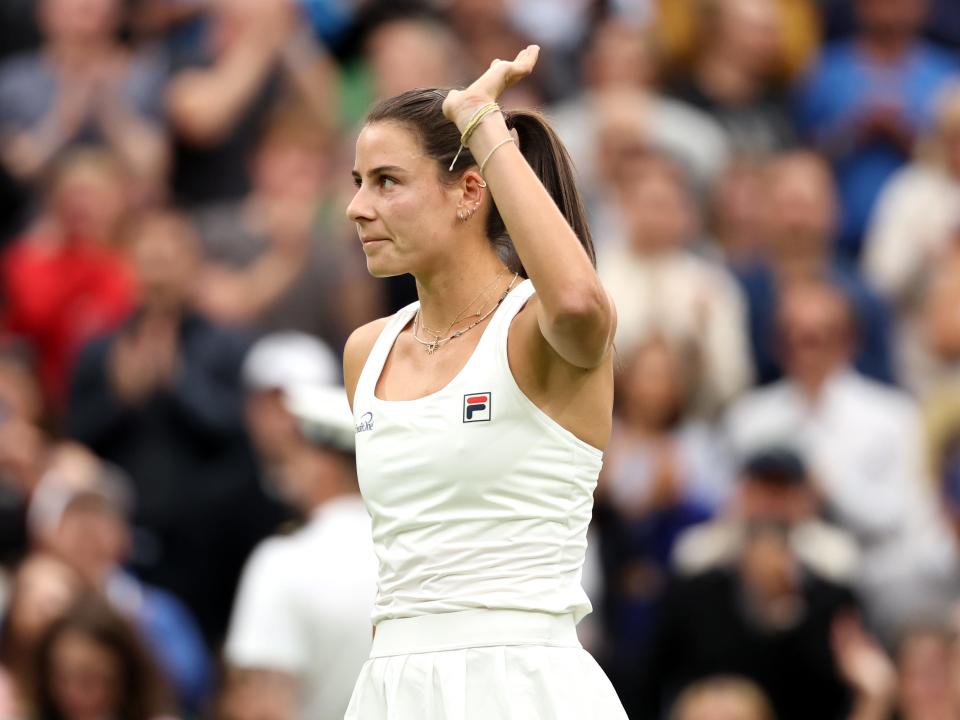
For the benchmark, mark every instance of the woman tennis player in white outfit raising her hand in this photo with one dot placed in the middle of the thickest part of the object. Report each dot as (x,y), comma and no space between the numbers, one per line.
(481,411)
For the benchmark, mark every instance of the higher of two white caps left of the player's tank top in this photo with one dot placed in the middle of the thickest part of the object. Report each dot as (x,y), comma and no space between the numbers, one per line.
(289,359)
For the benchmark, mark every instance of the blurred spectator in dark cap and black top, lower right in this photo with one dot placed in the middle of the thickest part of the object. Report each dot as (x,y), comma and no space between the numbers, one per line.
(765,616)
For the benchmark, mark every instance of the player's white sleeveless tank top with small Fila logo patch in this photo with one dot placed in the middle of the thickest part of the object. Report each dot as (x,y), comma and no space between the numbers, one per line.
(478,498)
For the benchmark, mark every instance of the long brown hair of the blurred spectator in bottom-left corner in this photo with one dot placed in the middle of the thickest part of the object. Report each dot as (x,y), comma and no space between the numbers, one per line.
(142,693)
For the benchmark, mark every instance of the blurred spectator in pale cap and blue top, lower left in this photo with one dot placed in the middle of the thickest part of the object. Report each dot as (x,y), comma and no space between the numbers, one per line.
(86,525)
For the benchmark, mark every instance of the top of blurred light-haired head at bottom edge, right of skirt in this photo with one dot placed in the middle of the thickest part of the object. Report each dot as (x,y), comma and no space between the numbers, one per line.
(723,698)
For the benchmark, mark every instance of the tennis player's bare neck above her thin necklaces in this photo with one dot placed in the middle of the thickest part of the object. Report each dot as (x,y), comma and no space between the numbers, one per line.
(471,284)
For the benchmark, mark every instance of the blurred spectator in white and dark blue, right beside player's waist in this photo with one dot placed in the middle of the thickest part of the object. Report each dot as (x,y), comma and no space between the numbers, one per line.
(663,473)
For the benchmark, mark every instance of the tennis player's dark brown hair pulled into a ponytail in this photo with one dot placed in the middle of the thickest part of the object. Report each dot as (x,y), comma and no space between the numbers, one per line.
(421,111)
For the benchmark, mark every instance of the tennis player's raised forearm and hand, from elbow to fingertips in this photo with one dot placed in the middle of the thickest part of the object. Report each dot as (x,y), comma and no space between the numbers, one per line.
(574,313)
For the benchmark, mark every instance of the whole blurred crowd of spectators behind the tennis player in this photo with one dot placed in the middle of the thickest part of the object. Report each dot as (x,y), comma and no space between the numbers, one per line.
(774,191)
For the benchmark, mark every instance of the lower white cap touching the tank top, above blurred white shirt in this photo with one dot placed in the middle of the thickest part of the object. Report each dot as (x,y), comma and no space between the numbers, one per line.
(323,413)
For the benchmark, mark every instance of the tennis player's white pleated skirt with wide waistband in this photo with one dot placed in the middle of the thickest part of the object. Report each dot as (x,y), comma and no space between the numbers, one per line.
(482,665)
